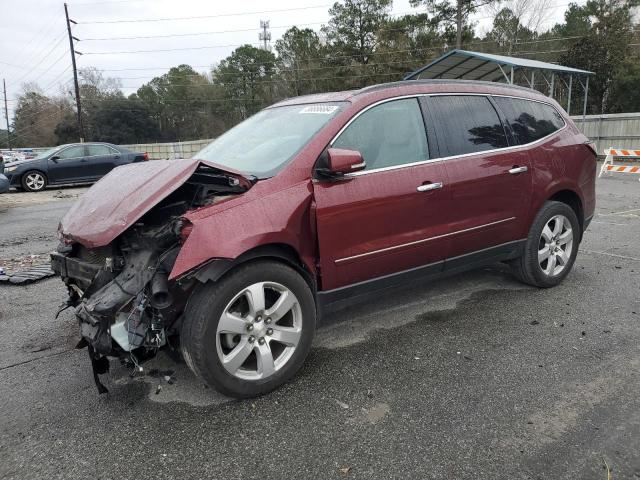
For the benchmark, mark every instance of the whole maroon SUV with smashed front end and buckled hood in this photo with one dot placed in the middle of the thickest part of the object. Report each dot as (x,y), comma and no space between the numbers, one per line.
(315,203)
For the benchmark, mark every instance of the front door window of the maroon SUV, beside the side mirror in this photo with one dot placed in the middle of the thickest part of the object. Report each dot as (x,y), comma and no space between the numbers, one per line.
(388,134)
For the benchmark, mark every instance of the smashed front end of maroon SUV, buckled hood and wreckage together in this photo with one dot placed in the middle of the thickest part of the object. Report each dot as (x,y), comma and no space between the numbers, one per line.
(118,249)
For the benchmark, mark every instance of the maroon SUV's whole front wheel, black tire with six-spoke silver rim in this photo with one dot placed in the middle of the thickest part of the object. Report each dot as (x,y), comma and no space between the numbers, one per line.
(249,332)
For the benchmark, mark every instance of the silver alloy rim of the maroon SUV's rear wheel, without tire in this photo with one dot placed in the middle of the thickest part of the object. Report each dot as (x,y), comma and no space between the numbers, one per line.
(555,245)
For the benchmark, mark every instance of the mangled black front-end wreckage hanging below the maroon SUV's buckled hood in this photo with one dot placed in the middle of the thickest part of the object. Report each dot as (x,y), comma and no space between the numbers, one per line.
(123,301)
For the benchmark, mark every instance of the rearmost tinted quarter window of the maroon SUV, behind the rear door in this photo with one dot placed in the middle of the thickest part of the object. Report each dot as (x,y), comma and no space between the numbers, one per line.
(529,121)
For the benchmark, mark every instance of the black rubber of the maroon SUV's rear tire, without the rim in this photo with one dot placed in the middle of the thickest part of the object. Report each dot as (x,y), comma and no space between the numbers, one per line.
(527,268)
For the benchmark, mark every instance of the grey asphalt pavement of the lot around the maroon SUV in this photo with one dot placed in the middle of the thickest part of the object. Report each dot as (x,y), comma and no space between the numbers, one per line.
(474,376)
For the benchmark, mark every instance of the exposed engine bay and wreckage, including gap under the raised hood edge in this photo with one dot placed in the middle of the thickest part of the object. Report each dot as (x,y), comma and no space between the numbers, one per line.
(124,302)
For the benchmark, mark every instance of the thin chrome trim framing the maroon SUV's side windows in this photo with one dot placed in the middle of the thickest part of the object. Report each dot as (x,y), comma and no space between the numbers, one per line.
(440,159)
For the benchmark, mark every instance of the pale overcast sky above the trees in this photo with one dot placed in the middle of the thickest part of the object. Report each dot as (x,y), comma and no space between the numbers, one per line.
(34,46)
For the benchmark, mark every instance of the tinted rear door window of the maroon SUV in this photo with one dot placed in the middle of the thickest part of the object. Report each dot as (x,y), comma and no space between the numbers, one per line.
(466,124)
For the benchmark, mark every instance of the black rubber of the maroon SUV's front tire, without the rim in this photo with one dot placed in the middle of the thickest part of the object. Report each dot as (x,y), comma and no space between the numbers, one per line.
(202,315)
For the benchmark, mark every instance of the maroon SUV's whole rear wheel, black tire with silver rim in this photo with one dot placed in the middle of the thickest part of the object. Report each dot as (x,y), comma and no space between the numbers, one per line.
(551,247)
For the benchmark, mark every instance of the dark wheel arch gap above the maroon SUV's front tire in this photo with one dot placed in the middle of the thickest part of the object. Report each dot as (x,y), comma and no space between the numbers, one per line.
(217,268)
